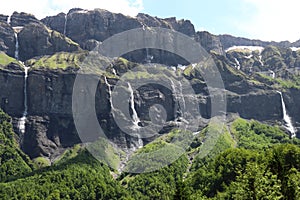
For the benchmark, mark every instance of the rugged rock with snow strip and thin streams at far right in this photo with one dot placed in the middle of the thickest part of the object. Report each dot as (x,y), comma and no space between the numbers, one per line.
(271,61)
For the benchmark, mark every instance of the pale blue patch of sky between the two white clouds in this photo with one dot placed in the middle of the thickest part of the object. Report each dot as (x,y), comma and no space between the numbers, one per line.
(216,16)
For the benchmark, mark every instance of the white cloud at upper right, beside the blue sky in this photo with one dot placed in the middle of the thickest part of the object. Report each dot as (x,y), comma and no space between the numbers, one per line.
(276,20)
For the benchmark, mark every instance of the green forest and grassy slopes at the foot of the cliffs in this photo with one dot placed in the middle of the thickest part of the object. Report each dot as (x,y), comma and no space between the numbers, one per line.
(248,160)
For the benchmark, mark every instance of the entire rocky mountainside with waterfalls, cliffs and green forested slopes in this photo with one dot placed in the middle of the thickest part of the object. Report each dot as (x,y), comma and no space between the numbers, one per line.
(174,126)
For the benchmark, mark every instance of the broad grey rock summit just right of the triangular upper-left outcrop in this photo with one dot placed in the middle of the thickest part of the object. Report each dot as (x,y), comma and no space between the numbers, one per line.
(81,25)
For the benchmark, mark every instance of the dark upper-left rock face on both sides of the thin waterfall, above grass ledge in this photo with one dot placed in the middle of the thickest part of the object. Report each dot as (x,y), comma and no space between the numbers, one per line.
(34,38)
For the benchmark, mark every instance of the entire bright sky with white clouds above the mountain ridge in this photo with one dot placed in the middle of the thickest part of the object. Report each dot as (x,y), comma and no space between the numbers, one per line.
(257,19)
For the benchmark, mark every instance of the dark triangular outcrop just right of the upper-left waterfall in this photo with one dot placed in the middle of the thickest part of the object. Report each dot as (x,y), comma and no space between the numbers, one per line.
(36,40)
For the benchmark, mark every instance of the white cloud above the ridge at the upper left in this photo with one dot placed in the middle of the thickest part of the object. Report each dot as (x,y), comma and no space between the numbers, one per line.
(42,8)
